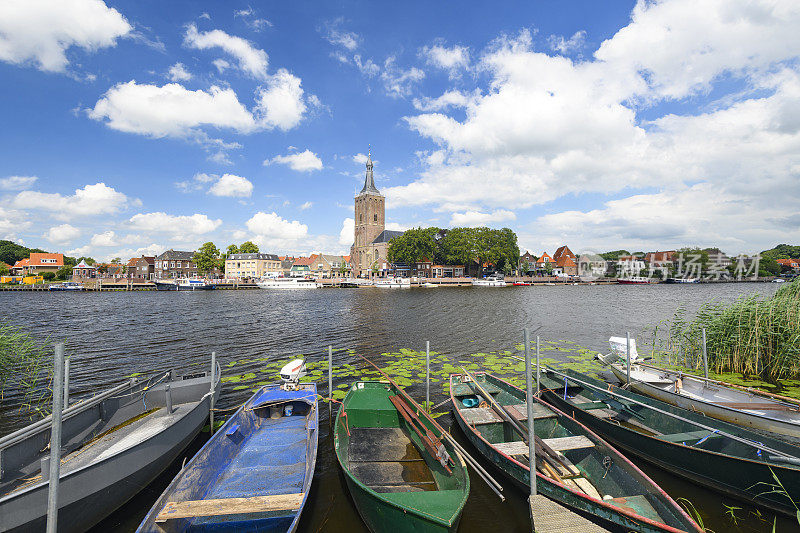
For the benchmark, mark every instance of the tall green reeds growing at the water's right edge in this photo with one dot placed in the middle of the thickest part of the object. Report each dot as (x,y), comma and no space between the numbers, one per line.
(752,336)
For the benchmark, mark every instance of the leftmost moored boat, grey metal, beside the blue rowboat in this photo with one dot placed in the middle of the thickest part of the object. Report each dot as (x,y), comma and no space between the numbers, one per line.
(113,445)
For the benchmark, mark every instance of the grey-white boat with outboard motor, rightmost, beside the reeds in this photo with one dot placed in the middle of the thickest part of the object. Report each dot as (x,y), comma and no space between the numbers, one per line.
(746,408)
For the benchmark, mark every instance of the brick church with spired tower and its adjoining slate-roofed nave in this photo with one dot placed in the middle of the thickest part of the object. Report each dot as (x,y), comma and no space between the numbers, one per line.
(370,237)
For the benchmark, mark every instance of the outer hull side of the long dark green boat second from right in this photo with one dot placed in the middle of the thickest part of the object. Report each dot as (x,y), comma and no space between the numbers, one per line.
(737,477)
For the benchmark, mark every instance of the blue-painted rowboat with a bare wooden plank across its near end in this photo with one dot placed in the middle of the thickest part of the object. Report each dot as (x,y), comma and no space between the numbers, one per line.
(253,475)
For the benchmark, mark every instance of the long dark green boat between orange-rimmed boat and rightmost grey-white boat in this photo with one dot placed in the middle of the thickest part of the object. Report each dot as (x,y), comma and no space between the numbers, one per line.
(665,435)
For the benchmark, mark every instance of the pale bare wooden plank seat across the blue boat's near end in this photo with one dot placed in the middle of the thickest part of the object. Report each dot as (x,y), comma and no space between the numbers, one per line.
(230,506)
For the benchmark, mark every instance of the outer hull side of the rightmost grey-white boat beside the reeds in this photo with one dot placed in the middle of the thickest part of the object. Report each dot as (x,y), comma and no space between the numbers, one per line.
(785,430)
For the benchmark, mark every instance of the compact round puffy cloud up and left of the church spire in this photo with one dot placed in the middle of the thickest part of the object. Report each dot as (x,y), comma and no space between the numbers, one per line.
(281,104)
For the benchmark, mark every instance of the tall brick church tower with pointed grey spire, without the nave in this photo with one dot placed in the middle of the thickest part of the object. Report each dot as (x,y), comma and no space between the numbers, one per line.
(370,221)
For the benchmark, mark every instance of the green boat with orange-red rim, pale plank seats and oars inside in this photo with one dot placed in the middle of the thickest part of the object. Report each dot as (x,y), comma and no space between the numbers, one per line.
(593,477)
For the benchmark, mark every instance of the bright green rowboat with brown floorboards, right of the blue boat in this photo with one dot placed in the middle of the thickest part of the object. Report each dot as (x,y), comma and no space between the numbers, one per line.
(400,473)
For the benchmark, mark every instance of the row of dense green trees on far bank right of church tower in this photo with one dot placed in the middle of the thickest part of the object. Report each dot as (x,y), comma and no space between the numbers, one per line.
(457,246)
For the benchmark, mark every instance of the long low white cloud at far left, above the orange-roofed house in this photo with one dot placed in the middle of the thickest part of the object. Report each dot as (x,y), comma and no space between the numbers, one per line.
(97,199)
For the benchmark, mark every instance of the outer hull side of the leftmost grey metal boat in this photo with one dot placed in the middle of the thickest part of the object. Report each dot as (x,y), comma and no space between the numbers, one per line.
(90,494)
